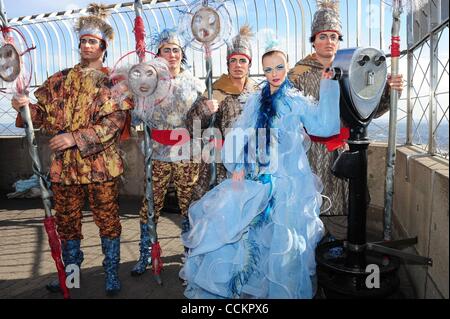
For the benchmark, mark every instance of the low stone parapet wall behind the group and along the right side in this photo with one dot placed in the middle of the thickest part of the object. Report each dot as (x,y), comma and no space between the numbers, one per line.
(420,201)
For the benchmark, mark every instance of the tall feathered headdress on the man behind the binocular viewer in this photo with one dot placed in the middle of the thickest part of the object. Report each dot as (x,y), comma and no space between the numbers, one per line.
(327,17)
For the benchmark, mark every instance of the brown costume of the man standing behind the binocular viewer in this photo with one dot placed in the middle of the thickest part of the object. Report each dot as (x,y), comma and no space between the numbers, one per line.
(306,77)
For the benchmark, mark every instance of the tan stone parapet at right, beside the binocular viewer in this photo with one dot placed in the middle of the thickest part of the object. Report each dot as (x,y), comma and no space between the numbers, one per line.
(420,209)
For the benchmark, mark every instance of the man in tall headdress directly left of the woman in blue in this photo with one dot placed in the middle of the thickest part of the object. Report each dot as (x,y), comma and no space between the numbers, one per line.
(229,96)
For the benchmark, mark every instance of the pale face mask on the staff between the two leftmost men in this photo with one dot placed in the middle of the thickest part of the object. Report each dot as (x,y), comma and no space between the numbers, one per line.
(142,80)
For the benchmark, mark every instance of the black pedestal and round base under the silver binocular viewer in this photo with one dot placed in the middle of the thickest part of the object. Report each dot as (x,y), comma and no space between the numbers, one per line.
(355,268)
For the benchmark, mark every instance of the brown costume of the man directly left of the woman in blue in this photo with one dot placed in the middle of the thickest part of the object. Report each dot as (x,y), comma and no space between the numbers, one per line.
(231,101)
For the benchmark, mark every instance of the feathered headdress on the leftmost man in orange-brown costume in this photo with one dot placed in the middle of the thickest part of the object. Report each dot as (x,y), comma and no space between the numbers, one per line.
(95,24)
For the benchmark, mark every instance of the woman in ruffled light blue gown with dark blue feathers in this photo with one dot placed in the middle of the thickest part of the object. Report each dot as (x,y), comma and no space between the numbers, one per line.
(254,235)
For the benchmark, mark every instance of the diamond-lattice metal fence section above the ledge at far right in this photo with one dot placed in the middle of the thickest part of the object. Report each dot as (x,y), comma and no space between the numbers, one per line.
(428,93)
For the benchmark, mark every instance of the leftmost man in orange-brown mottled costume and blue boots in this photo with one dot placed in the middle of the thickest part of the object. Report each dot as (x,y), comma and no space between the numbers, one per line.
(76,108)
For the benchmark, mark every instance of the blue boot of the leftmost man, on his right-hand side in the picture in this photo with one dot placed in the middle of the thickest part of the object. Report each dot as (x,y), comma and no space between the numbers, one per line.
(111,250)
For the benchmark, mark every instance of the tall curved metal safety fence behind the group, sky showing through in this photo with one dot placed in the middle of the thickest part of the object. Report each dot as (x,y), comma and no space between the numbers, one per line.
(289,20)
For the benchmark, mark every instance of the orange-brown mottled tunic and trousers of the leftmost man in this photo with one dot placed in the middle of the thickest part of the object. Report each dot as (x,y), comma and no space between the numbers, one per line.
(78,100)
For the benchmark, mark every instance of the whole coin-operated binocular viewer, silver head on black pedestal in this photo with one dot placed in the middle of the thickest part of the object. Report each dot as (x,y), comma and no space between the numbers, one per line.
(343,265)
